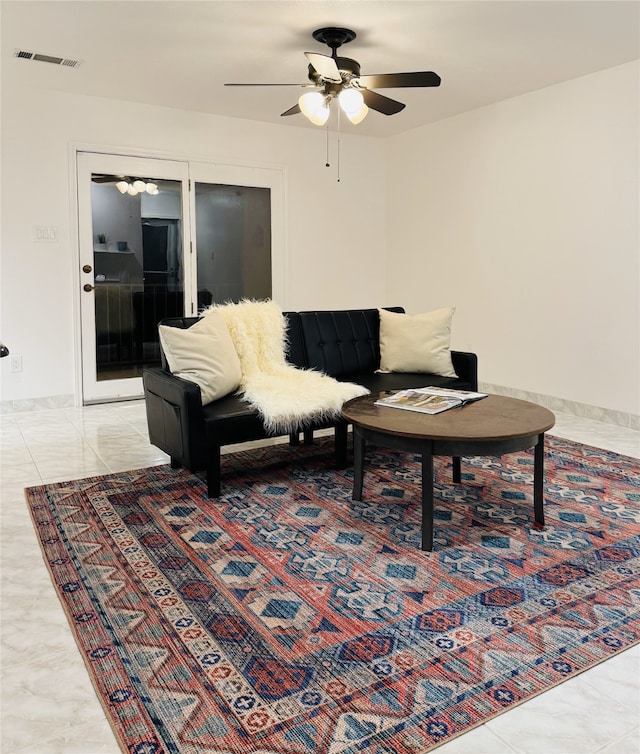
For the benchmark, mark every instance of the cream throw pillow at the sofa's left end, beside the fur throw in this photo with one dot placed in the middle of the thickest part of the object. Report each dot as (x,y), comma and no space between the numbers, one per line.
(203,353)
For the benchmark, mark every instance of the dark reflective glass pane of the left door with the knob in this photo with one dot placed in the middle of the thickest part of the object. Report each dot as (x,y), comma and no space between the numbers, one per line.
(138,272)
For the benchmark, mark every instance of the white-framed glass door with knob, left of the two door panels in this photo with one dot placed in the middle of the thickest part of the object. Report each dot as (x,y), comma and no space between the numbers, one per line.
(132,268)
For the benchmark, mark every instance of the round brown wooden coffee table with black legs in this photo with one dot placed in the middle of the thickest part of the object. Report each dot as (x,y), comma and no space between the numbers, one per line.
(492,426)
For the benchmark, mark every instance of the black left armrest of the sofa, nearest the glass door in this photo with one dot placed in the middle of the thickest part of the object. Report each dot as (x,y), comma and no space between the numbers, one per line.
(174,417)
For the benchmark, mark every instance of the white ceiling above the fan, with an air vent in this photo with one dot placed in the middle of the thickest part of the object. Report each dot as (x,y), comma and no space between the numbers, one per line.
(179,53)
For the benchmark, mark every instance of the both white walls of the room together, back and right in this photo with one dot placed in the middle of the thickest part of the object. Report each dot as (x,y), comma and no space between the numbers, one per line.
(523,214)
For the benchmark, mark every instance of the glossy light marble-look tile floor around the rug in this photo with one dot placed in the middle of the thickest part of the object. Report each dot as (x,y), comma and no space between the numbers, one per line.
(48,703)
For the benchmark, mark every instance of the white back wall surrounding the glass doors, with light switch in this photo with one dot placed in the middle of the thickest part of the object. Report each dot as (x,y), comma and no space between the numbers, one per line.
(334,230)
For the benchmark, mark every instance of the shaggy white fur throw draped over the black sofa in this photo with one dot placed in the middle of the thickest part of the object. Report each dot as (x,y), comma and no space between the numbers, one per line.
(287,398)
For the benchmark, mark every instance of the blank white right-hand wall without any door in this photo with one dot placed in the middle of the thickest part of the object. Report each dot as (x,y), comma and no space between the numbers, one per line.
(525,215)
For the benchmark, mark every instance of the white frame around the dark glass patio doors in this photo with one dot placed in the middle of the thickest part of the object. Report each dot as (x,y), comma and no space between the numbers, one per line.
(226,171)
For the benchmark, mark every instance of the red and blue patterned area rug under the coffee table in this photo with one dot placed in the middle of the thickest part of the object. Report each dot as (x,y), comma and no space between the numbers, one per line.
(285,618)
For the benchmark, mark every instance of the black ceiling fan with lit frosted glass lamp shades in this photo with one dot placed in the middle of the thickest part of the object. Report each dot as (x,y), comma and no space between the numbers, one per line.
(339,78)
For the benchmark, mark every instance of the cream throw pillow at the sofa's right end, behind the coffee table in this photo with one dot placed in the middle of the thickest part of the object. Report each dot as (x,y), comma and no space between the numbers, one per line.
(416,343)
